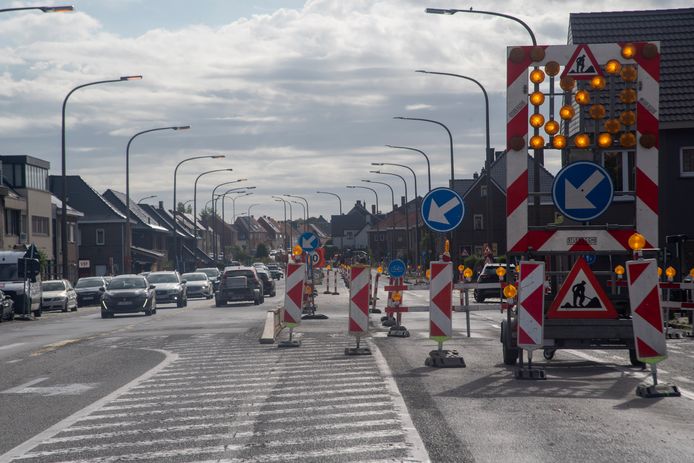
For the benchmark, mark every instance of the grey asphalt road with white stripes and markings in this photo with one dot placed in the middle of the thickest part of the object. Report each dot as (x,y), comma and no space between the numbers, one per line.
(194,384)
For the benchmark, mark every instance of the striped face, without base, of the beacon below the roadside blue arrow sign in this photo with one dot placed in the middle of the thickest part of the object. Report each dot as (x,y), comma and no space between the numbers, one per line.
(441,301)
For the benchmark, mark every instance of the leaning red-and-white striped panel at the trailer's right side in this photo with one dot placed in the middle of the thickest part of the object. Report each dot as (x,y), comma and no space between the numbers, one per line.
(646,313)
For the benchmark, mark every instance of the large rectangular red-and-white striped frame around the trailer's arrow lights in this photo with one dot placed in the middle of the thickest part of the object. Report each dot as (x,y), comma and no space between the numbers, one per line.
(519,239)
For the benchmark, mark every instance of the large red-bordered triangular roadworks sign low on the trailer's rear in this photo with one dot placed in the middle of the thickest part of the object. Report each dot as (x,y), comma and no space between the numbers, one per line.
(581,296)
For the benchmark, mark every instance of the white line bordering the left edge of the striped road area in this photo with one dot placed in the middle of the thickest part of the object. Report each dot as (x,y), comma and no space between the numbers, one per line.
(25,447)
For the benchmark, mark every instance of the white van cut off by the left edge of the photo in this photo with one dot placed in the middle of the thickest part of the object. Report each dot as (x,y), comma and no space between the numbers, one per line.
(20,279)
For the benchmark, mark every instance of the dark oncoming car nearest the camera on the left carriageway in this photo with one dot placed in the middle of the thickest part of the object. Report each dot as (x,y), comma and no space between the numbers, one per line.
(128,294)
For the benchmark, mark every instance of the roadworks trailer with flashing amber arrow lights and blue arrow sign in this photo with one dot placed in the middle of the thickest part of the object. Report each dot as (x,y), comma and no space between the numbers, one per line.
(608,96)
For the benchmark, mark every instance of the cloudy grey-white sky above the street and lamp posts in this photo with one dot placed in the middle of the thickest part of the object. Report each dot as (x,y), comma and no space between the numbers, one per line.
(299,95)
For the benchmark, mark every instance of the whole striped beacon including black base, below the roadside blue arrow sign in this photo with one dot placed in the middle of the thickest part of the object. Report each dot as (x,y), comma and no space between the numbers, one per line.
(440,316)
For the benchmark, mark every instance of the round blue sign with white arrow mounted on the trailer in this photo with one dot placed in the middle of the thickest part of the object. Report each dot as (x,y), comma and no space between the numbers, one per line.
(582,191)
